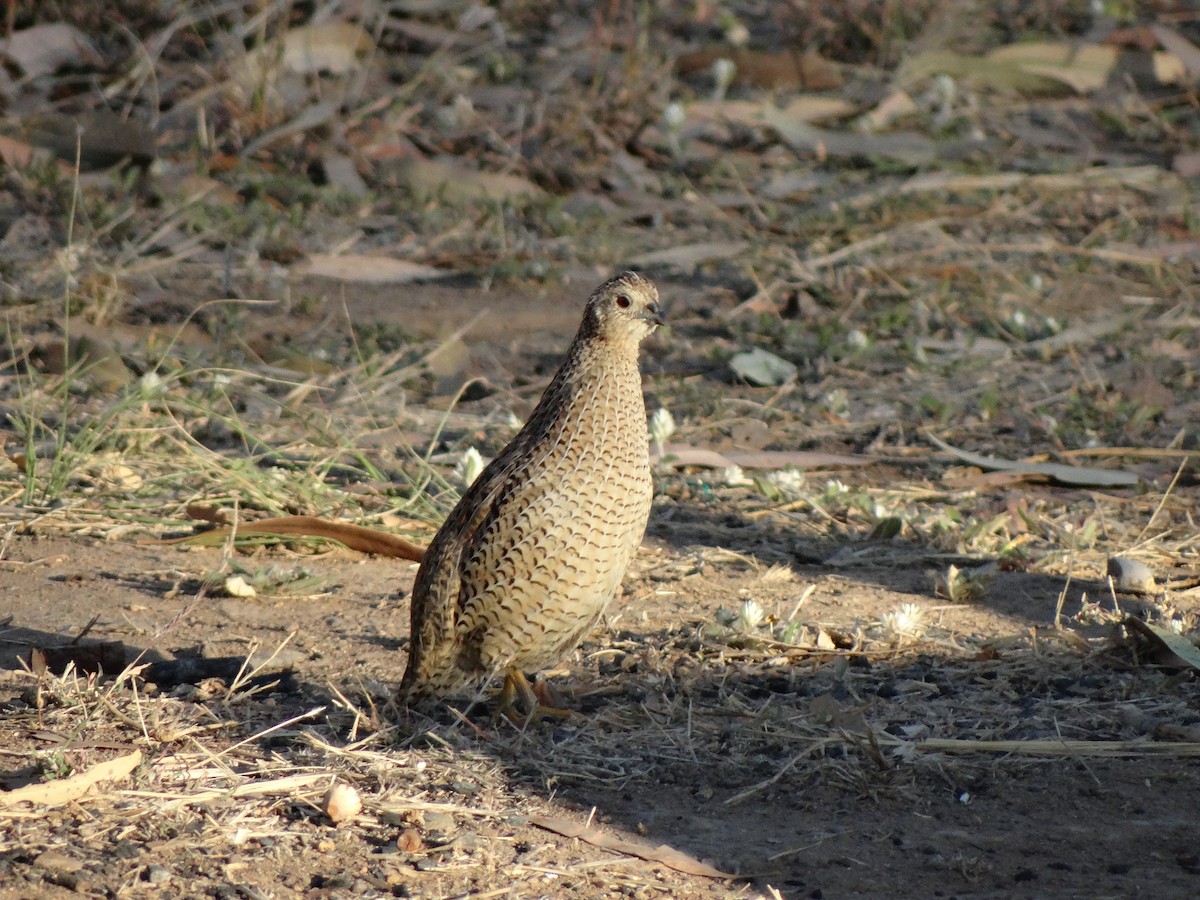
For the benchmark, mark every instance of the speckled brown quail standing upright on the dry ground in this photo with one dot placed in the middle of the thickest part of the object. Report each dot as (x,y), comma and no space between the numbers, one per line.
(529,560)
